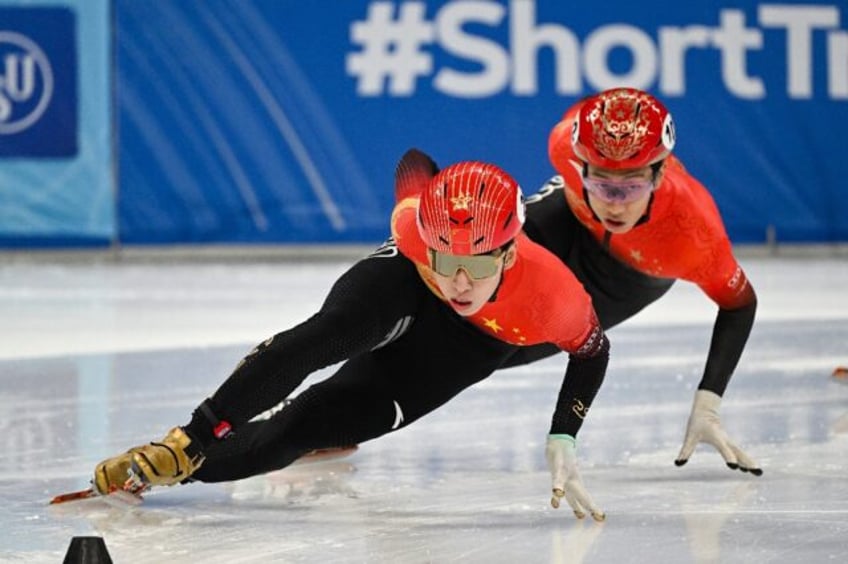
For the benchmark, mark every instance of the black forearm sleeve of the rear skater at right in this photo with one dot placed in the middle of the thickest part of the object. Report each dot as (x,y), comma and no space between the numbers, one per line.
(730,334)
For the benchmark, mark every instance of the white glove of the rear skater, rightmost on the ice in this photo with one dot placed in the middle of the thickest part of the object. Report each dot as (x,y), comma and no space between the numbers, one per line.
(705,427)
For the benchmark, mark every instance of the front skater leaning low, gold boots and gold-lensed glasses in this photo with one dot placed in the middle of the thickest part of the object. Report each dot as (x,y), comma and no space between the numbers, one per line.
(421,319)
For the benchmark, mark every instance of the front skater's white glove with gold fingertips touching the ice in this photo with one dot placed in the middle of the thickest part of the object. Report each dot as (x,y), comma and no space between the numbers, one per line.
(562,462)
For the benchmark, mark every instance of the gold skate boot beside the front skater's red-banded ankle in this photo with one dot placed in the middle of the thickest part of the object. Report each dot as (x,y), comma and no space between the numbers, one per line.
(167,462)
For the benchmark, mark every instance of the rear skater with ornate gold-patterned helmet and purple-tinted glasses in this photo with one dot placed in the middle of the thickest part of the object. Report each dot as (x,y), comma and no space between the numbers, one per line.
(628,219)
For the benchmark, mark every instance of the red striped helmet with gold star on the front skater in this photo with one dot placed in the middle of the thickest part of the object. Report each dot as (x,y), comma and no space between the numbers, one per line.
(470,208)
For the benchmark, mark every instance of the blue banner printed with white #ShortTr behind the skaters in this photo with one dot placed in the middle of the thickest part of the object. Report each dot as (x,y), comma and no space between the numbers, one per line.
(282,120)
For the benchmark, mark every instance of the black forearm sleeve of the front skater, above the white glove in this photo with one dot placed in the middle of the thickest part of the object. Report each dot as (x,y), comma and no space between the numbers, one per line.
(583,379)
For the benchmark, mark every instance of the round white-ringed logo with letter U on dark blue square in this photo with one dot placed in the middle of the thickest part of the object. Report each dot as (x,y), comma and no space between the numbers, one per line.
(26,82)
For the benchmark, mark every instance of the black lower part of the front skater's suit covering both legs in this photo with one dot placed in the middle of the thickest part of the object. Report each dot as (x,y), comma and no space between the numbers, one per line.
(406,354)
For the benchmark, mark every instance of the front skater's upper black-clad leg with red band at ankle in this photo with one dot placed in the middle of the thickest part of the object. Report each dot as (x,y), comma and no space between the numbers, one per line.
(368,305)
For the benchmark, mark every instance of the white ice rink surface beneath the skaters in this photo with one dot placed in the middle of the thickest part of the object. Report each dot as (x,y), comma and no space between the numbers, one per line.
(100,354)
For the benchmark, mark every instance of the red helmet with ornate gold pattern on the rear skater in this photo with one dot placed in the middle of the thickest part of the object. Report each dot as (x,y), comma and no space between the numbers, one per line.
(622,128)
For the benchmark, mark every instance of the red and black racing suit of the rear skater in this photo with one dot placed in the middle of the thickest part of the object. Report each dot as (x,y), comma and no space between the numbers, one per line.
(680,236)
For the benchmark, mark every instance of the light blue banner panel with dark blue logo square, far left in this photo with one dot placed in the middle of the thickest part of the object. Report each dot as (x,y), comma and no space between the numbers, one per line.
(56,181)
